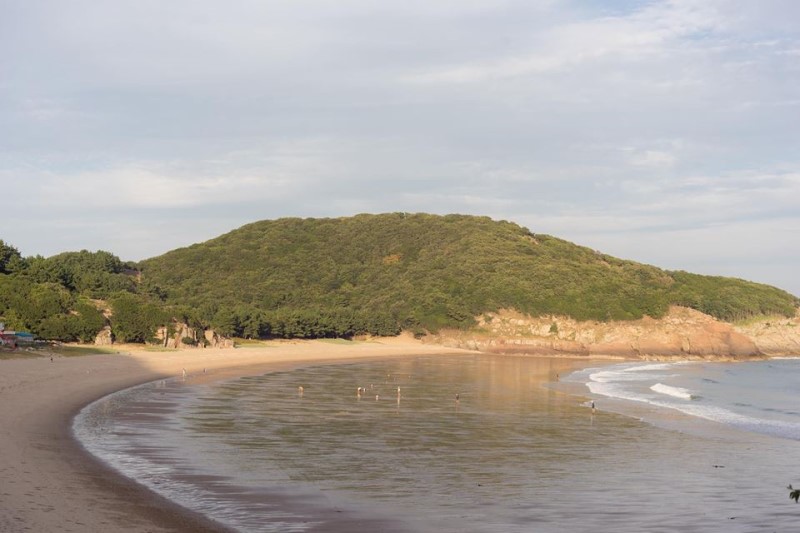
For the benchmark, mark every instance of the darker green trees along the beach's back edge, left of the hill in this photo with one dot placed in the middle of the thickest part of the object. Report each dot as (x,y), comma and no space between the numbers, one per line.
(74,295)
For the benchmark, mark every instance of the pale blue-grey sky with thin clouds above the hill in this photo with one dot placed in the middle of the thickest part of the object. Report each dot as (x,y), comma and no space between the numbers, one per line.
(661,131)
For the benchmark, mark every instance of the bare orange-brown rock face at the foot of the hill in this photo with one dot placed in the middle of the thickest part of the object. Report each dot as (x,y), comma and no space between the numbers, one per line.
(682,332)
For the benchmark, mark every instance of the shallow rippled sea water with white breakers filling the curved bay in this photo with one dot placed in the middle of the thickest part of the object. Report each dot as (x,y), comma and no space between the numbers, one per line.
(467,443)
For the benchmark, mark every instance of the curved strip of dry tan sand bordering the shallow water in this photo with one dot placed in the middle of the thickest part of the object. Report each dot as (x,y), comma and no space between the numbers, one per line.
(49,483)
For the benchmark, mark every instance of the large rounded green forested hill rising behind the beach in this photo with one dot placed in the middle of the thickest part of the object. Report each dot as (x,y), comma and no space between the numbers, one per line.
(380,273)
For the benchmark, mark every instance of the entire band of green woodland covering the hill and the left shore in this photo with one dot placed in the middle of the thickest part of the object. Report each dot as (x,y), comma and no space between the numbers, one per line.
(376,274)
